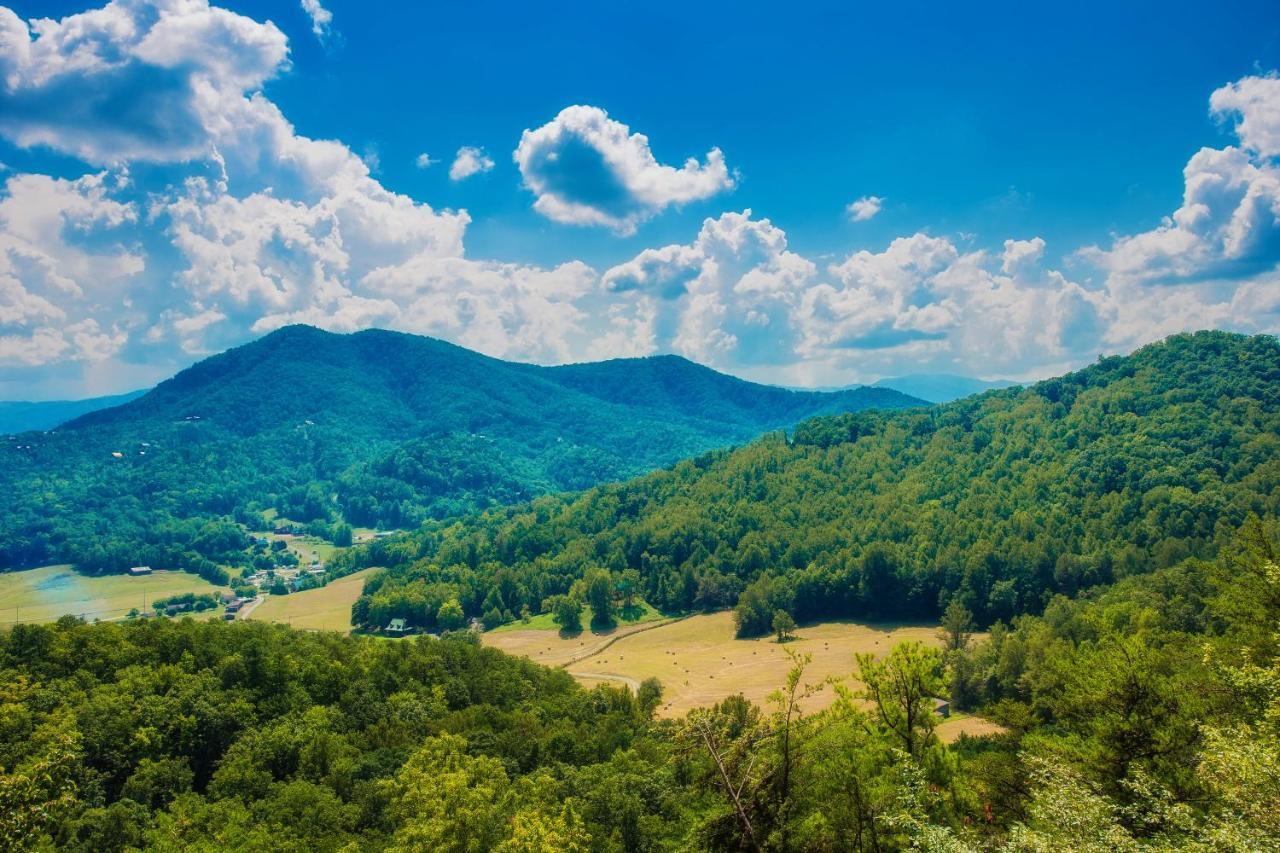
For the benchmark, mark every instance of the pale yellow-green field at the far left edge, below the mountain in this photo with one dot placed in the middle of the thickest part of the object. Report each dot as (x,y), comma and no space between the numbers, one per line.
(44,595)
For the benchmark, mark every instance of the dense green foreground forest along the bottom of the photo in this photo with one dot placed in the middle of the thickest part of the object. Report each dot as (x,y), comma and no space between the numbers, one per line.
(1145,717)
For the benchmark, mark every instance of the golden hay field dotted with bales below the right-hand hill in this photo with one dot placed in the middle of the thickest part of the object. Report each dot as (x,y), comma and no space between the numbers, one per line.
(700,662)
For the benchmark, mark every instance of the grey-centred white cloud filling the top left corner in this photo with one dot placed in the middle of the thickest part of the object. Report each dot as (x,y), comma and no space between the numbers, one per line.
(132,81)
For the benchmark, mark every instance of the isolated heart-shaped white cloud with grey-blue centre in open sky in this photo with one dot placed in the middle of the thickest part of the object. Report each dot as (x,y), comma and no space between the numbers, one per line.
(588,170)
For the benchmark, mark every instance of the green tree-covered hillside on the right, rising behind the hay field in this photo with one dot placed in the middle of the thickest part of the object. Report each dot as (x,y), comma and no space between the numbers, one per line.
(998,503)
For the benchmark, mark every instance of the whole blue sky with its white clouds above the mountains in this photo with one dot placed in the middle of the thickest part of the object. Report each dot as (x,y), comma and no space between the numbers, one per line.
(1040,186)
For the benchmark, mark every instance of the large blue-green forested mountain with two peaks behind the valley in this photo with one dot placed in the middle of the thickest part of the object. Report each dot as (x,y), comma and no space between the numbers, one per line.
(374,428)
